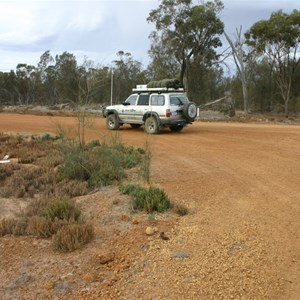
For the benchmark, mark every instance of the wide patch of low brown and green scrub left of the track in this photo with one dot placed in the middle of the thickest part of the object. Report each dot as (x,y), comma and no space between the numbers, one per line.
(47,171)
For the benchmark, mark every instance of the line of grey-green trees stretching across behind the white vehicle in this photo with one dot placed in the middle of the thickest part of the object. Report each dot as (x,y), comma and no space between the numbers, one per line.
(185,45)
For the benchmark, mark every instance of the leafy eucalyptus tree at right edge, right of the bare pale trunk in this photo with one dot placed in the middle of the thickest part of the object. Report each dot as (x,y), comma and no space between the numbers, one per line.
(278,40)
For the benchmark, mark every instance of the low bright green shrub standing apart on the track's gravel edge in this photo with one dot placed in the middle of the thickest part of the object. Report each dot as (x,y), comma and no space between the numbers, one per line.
(149,200)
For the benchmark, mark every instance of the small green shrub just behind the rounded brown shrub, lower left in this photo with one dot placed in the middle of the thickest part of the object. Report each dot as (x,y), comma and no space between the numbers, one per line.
(63,209)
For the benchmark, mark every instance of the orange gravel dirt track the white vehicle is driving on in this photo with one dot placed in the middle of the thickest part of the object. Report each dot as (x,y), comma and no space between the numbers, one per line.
(241,185)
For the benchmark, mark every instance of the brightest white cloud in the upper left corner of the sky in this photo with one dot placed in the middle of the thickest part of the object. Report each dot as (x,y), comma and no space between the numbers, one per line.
(41,23)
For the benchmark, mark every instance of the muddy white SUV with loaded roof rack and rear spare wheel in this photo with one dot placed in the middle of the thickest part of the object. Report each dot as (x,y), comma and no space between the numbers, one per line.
(155,108)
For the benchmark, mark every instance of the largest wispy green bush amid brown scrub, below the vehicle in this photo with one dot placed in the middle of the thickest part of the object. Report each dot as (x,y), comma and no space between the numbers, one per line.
(99,165)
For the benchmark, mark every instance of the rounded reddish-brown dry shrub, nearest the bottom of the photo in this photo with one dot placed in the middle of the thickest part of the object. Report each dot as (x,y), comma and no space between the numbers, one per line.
(72,237)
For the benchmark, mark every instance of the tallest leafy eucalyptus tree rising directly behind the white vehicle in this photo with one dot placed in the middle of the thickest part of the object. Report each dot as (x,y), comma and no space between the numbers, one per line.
(188,32)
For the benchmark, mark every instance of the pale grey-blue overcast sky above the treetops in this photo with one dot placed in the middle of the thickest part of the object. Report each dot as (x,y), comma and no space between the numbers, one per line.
(98,29)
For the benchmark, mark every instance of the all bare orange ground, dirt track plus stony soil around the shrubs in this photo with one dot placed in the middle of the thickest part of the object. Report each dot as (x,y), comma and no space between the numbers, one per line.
(240,239)
